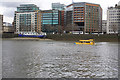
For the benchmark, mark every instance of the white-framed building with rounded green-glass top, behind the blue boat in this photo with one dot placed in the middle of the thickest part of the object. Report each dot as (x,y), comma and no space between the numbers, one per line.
(27,19)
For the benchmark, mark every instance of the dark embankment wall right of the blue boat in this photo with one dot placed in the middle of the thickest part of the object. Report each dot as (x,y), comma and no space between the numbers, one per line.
(77,37)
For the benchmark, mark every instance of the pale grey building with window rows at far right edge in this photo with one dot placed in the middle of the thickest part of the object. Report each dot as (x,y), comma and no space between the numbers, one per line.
(113,19)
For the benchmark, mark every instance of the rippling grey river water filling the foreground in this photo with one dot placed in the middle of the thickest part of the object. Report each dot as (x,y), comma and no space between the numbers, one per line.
(58,59)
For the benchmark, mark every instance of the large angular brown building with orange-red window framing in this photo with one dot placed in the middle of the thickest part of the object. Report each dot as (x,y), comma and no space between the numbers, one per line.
(87,16)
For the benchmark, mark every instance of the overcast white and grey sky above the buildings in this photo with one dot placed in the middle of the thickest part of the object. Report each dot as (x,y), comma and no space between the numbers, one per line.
(7,7)
